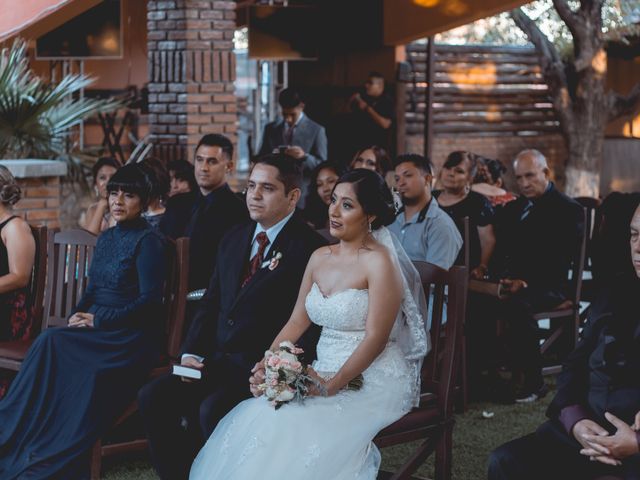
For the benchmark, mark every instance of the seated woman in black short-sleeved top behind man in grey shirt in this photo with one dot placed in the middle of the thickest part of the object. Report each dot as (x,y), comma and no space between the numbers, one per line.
(459,201)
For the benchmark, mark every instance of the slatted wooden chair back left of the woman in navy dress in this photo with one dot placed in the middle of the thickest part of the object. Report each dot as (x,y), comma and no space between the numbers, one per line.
(69,254)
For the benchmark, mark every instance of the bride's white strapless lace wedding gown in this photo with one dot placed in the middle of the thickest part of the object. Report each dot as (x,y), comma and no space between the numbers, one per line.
(323,438)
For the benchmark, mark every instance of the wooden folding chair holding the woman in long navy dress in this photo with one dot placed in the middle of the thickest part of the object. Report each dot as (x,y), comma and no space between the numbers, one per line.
(175,299)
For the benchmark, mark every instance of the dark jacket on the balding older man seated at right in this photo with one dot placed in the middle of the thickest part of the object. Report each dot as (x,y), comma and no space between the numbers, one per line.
(539,248)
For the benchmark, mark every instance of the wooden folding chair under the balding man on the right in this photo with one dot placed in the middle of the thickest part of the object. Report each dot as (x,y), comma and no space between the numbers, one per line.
(567,314)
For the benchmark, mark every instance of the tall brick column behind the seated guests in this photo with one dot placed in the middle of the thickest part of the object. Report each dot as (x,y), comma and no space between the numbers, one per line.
(191,73)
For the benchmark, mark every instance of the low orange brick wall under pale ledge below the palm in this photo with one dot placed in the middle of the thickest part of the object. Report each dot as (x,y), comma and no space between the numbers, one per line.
(40,203)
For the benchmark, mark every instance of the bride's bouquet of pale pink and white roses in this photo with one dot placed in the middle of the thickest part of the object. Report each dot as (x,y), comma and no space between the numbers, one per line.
(286,377)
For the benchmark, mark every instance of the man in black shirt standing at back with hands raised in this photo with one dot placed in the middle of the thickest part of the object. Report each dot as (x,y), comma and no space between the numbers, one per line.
(373,114)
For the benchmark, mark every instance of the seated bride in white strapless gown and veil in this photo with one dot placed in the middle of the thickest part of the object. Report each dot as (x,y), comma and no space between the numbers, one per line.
(367,296)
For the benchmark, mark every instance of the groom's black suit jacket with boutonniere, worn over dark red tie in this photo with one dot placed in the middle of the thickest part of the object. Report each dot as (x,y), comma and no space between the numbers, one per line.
(234,325)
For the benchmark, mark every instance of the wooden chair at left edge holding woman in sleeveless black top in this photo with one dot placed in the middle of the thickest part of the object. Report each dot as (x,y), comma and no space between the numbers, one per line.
(12,352)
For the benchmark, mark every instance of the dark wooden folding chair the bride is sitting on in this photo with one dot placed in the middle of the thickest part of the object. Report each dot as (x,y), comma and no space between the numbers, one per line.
(432,421)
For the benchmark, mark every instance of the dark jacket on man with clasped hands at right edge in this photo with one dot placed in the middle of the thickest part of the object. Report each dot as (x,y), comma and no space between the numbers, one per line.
(601,374)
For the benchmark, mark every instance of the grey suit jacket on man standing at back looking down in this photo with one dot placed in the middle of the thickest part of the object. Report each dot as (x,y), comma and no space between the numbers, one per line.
(308,135)
